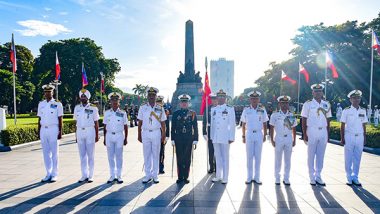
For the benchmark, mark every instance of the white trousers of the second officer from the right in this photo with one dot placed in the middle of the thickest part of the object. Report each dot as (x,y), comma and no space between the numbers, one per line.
(316,150)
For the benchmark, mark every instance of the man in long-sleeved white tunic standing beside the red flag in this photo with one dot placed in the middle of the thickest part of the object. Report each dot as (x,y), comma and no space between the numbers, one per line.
(222,135)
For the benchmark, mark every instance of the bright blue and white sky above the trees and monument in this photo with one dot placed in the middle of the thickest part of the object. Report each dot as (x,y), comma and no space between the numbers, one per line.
(148,36)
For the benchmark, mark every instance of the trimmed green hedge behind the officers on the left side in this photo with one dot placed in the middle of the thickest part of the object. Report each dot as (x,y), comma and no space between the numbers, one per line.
(28,133)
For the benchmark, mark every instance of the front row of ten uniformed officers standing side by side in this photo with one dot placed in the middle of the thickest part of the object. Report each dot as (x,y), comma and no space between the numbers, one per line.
(218,130)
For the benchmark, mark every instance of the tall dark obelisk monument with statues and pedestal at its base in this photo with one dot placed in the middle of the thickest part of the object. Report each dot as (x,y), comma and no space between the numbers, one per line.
(188,81)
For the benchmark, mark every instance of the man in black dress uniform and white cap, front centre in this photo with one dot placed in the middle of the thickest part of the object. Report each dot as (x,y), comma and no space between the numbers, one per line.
(184,135)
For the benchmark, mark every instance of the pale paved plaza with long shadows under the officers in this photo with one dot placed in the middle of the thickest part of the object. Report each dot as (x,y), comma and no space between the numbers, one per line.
(21,191)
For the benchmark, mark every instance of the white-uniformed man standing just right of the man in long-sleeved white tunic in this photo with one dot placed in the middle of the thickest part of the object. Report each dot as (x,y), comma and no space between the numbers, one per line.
(254,127)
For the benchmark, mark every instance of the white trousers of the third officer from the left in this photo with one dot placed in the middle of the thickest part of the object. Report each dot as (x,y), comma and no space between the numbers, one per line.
(114,142)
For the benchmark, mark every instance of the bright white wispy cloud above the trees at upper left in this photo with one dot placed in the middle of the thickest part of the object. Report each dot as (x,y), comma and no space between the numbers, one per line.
(36,27)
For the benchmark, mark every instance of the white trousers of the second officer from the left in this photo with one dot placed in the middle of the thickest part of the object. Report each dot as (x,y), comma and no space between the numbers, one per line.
(86,147)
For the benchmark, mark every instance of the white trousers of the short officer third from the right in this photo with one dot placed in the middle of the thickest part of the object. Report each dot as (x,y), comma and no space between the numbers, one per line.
(283,147)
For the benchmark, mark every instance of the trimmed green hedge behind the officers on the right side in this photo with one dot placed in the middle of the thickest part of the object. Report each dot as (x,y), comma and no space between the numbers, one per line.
(373,134)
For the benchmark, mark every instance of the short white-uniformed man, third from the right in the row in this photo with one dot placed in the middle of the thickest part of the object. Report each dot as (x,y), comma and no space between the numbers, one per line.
(283,123)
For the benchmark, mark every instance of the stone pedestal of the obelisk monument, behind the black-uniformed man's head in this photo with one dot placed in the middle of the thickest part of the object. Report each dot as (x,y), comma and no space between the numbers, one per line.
(192,89)
